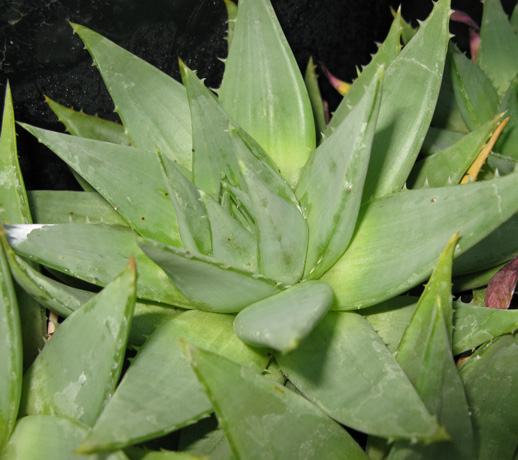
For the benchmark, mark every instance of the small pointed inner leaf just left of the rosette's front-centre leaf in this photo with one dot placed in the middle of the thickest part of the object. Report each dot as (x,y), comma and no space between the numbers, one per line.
(231,242)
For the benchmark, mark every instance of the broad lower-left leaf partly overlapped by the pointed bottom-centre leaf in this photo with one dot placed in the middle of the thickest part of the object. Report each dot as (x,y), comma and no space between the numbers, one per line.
(173,394)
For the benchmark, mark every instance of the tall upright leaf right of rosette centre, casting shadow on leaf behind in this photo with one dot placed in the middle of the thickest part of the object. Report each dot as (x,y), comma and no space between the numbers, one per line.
(331,184)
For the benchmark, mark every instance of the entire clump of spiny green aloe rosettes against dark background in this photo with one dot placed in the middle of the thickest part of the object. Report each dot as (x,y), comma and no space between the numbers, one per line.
(257,258)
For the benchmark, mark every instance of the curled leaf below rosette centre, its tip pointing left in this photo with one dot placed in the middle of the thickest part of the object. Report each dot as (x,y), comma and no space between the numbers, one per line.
(226,289)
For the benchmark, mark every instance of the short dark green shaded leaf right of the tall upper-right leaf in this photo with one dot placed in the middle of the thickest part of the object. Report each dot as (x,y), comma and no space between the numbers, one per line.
(476,97)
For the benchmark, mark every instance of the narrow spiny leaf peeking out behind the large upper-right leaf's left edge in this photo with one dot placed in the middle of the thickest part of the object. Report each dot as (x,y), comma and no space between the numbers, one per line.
(387,52)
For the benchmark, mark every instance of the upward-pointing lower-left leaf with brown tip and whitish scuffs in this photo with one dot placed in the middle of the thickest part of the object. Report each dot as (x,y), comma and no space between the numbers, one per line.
(78,369)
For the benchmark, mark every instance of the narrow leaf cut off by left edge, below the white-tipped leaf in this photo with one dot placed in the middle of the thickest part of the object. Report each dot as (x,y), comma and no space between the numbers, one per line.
(11,364)
